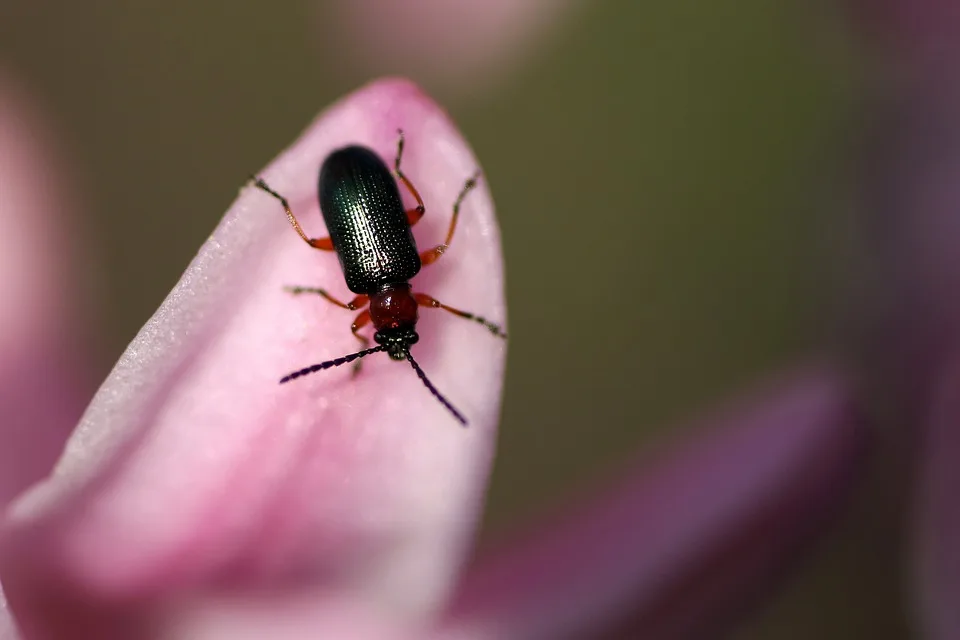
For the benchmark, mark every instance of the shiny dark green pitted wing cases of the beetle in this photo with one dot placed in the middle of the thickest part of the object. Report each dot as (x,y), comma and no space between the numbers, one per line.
(366,220)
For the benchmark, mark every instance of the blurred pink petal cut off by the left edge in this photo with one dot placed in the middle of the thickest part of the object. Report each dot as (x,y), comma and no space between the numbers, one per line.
(42,387)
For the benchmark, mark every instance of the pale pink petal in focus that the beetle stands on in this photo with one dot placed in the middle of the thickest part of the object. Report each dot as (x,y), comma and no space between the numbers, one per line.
(194,468)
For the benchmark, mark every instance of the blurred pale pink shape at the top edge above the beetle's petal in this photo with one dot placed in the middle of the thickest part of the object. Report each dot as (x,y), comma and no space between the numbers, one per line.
(462,44)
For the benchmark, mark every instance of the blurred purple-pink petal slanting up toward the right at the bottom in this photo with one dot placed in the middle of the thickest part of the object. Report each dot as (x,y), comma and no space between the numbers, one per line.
(679,547)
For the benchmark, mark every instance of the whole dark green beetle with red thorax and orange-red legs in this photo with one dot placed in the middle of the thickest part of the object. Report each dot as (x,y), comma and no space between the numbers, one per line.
(370,231)
